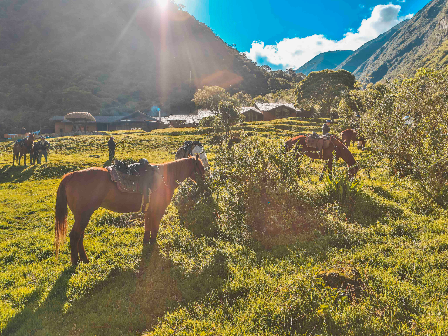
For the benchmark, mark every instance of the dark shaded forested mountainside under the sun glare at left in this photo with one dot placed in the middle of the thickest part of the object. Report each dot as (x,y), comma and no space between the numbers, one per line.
(110,57)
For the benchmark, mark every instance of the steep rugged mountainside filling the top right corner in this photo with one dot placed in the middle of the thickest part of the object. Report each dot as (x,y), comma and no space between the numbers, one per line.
(419,42)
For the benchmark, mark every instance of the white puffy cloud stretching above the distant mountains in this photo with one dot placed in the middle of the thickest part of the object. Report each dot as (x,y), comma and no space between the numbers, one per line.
(294,52)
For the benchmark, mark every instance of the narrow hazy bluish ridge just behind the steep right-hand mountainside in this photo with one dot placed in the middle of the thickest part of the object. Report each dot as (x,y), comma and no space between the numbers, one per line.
(363,53)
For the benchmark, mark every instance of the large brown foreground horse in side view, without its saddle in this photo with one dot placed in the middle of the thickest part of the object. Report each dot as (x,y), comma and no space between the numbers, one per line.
(86,190)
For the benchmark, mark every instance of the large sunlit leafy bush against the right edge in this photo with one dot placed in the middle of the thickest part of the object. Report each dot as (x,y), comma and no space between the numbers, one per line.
(418,149)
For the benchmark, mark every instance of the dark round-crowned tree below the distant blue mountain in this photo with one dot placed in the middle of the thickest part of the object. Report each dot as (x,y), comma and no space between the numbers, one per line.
(322,88)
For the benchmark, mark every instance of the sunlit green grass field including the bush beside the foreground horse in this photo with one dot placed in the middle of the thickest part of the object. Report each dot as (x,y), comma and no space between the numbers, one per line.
(365,258)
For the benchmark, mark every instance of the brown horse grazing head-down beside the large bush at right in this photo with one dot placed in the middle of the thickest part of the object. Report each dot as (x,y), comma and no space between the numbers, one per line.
(299,144)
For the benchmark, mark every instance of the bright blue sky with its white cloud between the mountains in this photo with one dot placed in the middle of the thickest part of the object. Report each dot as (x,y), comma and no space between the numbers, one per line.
(288,33)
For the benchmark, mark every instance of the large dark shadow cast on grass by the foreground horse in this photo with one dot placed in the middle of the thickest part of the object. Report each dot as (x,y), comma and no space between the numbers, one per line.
(126,302)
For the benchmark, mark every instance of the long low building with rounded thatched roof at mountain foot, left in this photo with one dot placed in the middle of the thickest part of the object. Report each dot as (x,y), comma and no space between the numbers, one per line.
(84,122)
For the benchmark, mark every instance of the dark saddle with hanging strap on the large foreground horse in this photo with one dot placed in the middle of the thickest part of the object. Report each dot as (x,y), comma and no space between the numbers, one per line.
(136,178)
